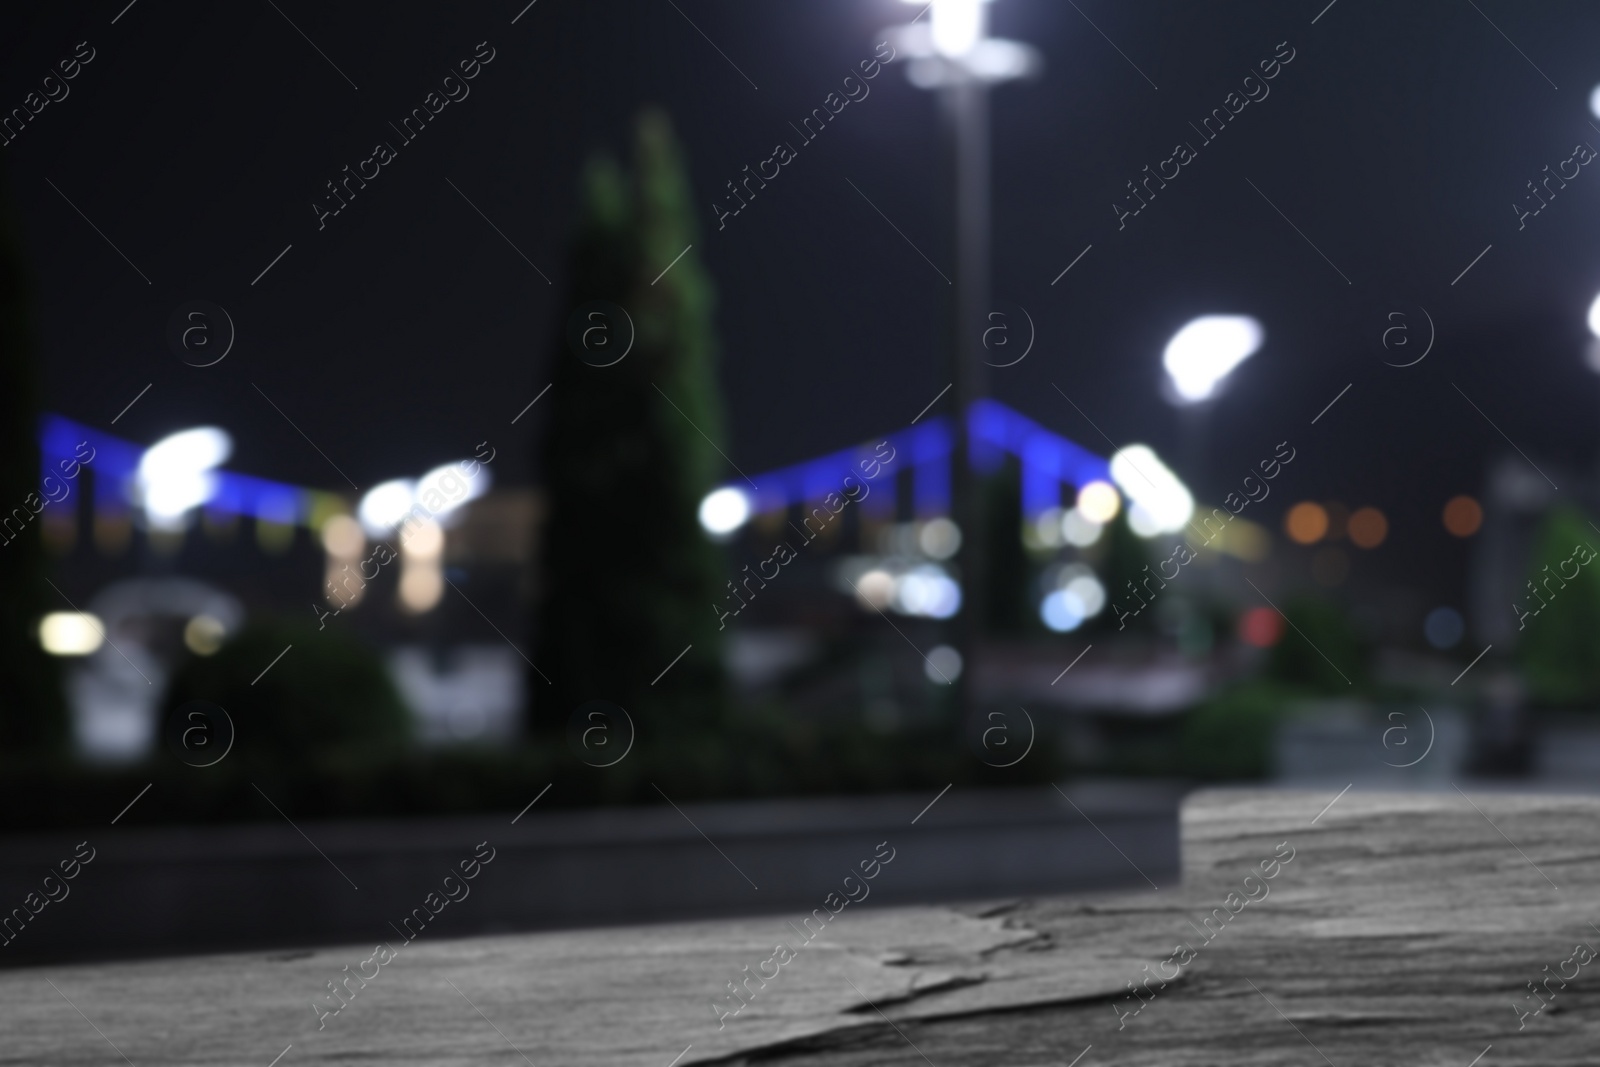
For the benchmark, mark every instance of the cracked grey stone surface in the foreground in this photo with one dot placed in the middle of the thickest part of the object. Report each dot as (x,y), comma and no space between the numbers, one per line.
(1402,930)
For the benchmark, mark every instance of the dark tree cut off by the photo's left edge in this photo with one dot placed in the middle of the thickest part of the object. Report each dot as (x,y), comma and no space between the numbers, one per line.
(33,713)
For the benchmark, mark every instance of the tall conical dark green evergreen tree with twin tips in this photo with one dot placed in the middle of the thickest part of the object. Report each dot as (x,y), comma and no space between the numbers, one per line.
(630,578)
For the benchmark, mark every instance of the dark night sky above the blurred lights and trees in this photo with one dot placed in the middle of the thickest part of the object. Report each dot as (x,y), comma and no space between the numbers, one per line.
(1396,142)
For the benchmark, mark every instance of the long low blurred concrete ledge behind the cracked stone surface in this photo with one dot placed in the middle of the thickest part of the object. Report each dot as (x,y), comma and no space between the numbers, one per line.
(154,892)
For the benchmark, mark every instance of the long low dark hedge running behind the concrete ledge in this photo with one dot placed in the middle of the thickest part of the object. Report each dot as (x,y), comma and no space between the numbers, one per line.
(764,754)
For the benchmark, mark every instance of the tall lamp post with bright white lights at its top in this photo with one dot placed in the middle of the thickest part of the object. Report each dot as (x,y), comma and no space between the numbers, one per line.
(953,55)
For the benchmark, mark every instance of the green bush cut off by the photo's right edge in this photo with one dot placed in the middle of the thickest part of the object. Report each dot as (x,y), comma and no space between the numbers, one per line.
(1559,649)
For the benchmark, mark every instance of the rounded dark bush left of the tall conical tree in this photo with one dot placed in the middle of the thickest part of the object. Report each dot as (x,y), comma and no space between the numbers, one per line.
(329,698)
